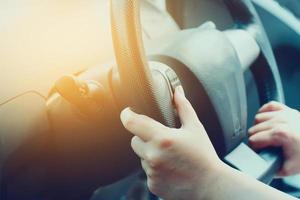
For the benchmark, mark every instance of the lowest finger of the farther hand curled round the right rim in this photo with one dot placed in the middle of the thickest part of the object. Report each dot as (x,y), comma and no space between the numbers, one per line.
(264,139)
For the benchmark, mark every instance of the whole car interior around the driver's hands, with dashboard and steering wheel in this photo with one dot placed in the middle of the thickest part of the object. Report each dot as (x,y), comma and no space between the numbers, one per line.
(68,68)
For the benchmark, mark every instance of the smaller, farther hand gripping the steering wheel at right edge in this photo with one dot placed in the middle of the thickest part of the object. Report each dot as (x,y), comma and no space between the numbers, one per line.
(279,126)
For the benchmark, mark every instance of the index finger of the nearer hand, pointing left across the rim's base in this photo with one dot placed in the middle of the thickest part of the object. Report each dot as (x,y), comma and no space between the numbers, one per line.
(141,125)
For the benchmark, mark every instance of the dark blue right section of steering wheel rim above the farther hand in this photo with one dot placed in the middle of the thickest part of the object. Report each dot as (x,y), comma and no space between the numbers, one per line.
(265,70)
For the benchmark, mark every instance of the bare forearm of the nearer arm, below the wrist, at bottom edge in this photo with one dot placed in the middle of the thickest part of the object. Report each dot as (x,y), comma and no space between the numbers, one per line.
(232,184)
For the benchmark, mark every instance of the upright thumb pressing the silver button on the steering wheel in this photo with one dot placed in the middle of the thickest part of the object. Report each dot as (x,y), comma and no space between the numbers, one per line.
(186,112)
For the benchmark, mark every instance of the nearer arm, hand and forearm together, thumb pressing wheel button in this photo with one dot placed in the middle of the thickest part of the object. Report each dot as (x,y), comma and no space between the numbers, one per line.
(182,163)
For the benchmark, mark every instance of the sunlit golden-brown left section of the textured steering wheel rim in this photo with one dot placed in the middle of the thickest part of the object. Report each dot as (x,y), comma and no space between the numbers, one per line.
(135,75)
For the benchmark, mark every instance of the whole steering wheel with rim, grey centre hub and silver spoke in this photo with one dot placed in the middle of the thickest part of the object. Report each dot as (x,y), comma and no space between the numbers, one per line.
(217,91)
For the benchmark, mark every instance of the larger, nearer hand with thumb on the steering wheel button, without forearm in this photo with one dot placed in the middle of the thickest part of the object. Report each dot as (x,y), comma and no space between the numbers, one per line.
(179,163)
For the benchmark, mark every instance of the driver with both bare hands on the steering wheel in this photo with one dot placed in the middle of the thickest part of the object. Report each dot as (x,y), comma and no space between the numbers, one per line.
(182,163)
